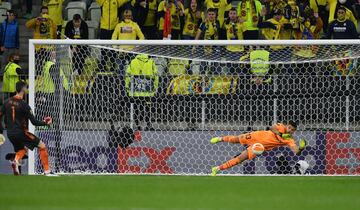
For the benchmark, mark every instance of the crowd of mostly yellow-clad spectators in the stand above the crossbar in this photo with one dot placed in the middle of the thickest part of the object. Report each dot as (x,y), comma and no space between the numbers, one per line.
(214,19)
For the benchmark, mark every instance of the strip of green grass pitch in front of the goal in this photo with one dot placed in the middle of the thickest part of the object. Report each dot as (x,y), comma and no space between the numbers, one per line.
(179,192)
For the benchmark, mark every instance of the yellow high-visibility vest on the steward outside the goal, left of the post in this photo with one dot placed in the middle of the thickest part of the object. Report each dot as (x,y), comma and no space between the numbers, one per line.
(10,77)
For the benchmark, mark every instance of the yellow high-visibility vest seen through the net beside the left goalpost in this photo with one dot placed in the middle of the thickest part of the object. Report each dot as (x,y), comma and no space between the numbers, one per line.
(47,85)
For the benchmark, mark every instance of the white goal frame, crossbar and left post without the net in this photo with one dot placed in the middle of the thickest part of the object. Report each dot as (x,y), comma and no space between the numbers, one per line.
(33,42)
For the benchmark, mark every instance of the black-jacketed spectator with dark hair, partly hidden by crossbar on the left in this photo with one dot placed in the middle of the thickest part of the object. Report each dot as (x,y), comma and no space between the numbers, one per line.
(78,29)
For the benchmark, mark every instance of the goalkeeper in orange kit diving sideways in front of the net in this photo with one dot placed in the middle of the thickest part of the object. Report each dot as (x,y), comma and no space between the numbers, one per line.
(278,135)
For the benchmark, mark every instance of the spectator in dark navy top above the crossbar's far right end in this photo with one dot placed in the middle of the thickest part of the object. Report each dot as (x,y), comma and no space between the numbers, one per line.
(341,28)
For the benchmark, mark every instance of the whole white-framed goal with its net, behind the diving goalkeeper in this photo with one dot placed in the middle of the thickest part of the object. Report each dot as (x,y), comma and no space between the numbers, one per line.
(151,106)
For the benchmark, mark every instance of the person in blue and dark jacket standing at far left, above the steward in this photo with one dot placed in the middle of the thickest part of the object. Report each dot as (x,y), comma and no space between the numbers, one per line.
(9,36)
